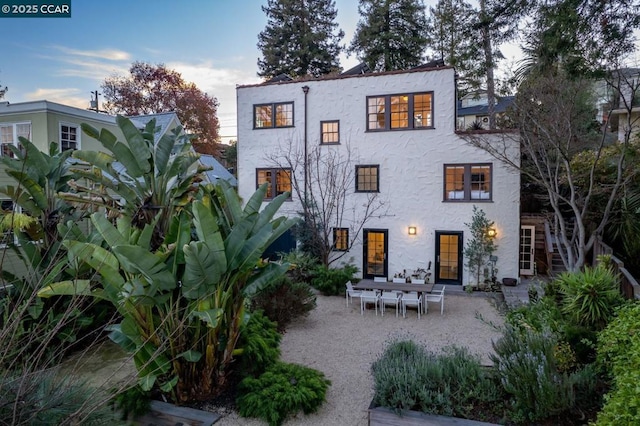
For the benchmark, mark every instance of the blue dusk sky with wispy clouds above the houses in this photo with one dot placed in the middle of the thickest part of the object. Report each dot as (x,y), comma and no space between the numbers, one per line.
(210,42)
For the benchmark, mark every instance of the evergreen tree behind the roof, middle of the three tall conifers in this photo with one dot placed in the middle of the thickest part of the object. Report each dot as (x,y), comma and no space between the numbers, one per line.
(390,34)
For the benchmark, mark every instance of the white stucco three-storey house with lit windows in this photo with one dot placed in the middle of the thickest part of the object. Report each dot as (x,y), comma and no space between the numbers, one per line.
(400,129)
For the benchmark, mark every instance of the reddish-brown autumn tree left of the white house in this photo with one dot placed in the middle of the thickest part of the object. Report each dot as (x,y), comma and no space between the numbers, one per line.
(153,89)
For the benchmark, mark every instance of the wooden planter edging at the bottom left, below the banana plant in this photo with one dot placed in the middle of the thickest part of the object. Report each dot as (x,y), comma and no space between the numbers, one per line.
(165,414)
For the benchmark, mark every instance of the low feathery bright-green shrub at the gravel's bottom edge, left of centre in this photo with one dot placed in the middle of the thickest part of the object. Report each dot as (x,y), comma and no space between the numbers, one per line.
(282,390)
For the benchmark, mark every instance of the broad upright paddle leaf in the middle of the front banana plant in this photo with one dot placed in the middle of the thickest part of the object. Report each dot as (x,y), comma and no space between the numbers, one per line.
(203,270)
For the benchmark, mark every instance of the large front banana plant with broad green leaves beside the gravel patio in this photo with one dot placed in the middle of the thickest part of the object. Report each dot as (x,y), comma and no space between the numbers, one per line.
(184,302)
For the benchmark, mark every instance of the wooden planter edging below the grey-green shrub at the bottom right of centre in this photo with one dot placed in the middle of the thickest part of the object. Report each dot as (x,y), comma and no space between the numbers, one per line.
(380,416)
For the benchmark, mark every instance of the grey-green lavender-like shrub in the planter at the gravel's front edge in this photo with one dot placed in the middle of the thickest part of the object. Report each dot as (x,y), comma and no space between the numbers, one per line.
(408,377)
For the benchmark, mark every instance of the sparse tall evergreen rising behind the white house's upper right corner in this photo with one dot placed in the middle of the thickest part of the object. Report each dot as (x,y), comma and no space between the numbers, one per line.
(450,37)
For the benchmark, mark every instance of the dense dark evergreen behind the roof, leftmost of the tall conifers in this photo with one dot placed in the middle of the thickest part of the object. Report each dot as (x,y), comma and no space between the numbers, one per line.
(301,38)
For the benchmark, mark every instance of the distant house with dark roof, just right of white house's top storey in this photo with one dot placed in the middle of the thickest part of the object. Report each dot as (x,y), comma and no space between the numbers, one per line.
(474,108)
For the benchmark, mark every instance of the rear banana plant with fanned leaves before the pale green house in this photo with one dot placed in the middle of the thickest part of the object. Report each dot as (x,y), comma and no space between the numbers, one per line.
(140,178)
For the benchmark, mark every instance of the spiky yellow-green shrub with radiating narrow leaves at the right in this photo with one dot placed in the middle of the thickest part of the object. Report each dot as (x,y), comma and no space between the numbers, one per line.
(590,296)
